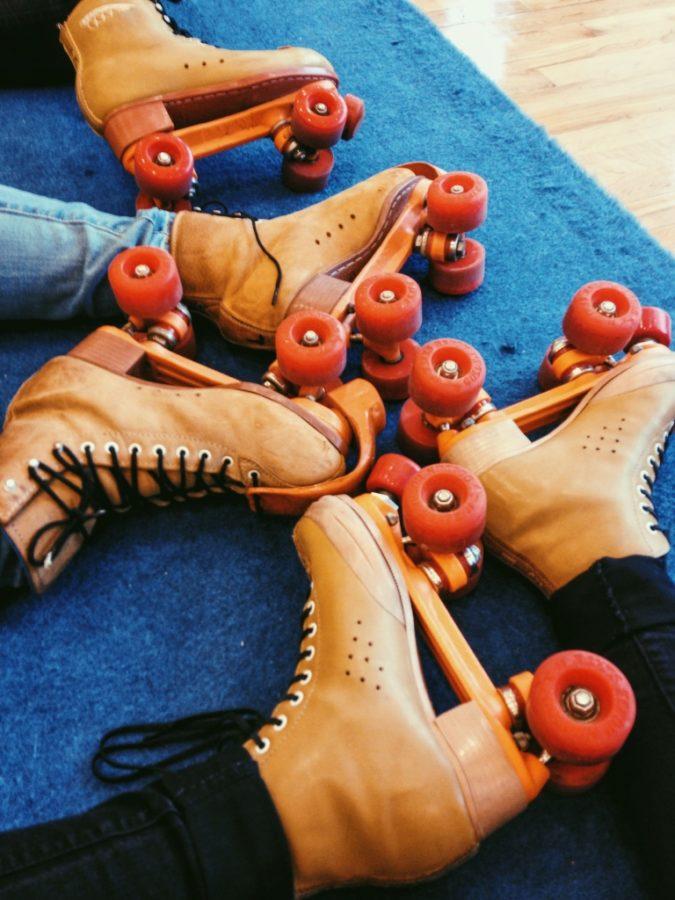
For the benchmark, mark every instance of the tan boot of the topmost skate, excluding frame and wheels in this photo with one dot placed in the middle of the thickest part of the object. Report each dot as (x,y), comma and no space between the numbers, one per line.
(127,54)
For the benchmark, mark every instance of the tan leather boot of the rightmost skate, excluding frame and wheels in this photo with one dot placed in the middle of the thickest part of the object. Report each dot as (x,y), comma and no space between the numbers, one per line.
(582,492)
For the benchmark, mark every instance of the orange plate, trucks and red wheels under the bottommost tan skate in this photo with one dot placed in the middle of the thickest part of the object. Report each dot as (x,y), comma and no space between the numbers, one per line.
(565,722)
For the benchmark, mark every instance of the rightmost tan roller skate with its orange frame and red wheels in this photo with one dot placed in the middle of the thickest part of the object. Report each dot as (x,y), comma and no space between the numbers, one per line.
(551,499)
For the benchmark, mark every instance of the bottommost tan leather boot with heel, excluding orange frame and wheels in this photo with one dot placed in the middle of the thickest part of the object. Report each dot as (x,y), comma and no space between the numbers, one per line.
(368,785)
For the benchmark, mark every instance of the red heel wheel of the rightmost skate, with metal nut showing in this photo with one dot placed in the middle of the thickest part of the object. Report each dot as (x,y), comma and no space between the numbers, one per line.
(447,377)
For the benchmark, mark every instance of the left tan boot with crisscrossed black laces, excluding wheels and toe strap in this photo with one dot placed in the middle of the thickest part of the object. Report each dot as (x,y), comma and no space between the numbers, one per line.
(81,441)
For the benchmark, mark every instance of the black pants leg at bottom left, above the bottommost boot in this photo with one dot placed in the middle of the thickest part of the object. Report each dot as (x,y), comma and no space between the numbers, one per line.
(208,831)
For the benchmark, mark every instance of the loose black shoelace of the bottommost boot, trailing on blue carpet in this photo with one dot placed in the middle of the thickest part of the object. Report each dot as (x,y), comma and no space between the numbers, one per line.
(117,759)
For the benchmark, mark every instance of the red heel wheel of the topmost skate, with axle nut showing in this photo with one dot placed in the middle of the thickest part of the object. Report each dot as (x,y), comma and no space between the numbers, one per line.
(163,167)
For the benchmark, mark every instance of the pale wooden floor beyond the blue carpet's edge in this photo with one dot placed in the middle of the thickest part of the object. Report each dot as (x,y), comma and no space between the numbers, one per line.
(599,75)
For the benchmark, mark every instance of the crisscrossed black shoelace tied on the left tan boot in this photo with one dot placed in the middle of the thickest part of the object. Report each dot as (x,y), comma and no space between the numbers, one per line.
(94,501)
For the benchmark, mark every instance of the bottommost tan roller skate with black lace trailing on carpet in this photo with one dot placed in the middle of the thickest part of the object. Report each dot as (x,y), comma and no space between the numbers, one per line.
(359,679)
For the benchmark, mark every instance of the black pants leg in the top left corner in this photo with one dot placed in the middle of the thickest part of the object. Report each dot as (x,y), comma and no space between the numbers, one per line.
(30,52)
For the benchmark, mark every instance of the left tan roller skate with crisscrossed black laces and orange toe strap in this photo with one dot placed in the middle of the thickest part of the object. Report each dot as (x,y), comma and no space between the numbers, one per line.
(100,430)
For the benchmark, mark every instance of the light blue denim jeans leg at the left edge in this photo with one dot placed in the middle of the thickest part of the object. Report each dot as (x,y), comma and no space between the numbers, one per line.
(54,256)
